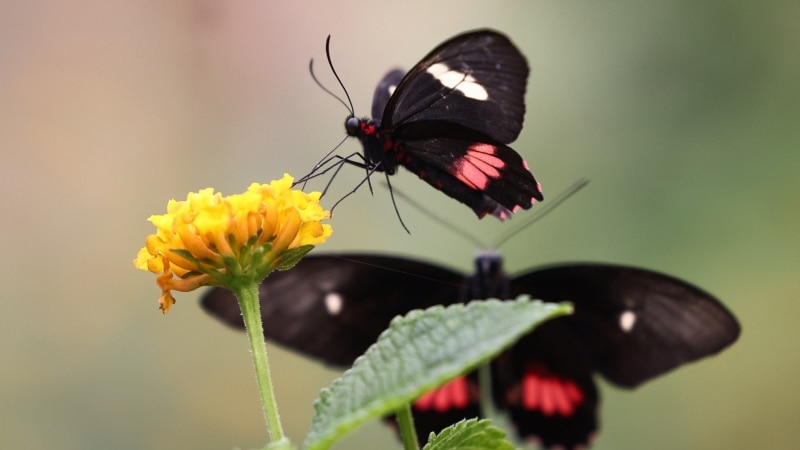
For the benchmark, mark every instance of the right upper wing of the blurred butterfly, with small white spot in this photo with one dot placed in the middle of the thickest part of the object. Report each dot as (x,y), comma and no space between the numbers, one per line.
(635,324)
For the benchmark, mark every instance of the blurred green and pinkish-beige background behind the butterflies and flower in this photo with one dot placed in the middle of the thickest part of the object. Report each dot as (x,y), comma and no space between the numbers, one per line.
(683,115)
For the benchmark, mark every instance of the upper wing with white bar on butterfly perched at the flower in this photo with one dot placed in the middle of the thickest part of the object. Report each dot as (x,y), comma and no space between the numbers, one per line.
(476,80)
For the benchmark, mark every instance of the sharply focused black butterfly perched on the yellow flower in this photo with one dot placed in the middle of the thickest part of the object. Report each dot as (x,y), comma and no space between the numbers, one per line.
(449,119)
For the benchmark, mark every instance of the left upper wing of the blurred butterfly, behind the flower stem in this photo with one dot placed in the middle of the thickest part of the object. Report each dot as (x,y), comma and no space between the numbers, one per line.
(334,307)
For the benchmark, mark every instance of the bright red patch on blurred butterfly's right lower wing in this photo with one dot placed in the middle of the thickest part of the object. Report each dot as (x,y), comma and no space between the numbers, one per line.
(549,393)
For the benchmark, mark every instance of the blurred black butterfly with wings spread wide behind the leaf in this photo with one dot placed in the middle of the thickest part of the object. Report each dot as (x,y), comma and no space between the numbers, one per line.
(629,325)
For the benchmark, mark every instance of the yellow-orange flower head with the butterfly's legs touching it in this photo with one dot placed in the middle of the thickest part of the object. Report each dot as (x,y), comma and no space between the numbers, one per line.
(209,239)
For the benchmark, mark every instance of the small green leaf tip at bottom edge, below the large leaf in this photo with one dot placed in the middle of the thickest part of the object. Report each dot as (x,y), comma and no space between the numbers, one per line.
(469,434)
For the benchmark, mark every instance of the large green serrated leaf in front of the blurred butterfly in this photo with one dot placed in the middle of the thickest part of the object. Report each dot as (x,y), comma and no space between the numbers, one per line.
(421,351)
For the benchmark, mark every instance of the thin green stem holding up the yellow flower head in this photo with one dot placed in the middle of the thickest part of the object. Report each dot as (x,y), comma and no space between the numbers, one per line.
(247,294)
